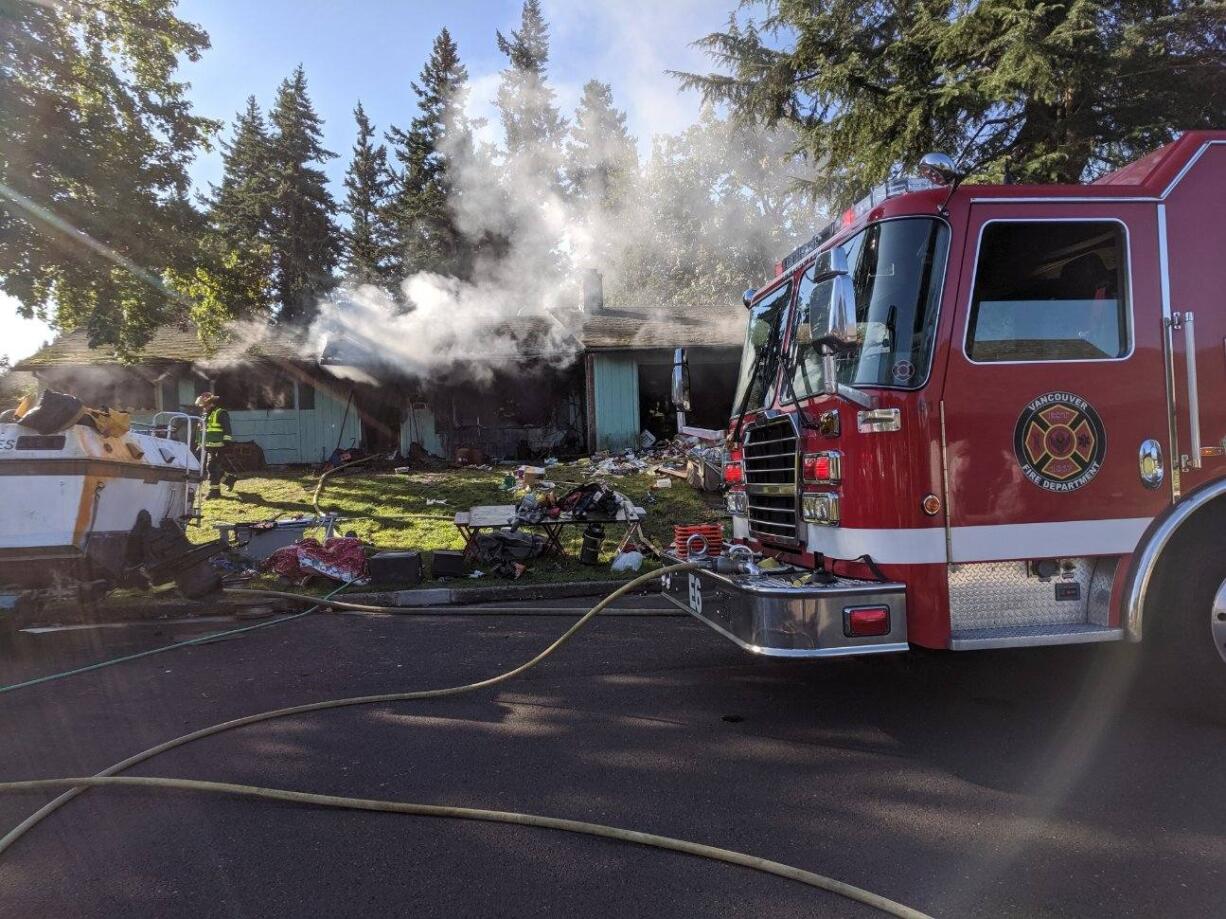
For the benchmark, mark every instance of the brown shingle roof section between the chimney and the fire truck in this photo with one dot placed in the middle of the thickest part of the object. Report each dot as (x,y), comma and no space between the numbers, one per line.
(665,328)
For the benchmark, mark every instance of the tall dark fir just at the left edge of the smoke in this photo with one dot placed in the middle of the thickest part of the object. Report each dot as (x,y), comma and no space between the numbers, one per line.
(436,148)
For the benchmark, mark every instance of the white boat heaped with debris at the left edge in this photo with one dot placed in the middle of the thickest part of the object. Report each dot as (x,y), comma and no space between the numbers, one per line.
(89,498)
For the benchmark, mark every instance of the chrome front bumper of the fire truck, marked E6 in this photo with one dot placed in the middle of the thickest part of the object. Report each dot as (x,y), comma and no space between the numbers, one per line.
(769,616)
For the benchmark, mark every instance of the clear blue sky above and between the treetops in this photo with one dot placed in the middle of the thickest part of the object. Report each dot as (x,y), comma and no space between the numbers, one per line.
(371,50)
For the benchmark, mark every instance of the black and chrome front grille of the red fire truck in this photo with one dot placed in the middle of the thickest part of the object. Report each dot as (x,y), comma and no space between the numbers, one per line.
(771,481)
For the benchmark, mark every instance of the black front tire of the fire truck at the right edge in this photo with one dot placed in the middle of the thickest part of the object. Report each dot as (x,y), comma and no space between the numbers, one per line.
(1187,629)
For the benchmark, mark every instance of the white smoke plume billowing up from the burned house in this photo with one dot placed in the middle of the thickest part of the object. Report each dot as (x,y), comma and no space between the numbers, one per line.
(702,221)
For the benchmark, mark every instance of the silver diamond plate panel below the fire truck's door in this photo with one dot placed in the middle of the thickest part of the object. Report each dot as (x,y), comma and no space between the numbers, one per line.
(1006,595)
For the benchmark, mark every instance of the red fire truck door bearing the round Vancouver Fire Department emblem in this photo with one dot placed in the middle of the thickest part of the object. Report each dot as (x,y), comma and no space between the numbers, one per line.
(1055,399)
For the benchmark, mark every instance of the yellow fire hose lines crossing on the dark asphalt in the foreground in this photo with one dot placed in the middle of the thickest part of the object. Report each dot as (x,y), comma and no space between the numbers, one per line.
(110,776)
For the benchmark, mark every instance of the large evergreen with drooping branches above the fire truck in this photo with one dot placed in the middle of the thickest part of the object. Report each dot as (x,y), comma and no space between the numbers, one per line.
(1048,93)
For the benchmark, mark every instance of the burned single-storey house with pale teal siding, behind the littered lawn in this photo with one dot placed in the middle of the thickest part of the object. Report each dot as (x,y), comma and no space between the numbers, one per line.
(600,391)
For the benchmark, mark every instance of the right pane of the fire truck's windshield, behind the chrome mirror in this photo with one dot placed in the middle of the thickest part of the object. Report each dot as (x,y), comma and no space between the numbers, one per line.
(897,269)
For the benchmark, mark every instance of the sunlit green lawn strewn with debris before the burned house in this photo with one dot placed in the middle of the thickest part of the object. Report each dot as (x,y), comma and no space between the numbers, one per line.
(390,512)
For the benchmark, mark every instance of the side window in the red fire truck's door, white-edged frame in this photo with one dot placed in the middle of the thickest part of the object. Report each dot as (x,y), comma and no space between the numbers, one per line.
(1050,291)
